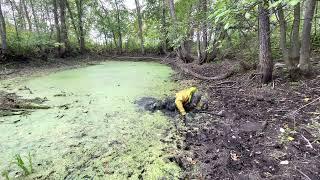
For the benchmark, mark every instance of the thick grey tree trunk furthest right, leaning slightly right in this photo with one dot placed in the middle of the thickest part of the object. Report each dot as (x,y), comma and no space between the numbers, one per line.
(304,62)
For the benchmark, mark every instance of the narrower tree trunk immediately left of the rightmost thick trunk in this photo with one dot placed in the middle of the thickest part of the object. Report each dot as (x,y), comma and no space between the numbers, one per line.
(295,36)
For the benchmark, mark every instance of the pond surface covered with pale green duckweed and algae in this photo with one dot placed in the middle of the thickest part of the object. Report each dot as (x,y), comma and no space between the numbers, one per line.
(93,129)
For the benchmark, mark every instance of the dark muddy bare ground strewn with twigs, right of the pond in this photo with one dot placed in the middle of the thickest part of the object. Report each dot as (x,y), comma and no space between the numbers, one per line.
(267,132)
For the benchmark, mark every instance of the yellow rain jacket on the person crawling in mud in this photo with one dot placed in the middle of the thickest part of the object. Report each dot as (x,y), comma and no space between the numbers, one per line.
(183,97)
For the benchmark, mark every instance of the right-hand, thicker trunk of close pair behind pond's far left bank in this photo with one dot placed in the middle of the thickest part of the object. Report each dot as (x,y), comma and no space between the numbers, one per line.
(64,33)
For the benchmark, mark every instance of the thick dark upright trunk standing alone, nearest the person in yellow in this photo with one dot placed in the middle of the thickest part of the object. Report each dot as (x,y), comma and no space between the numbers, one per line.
(266,64)
